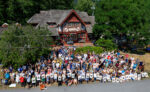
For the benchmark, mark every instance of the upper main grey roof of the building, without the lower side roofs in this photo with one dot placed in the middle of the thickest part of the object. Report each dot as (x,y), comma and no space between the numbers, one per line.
(58,16)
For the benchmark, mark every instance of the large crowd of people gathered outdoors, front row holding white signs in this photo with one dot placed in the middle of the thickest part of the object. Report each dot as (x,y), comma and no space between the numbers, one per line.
(65,67)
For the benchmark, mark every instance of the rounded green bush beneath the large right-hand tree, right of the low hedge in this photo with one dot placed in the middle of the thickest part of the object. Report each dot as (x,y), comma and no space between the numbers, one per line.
(108,45)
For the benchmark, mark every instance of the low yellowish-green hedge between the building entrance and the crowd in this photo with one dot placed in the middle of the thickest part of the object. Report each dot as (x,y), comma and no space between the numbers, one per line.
(89,49)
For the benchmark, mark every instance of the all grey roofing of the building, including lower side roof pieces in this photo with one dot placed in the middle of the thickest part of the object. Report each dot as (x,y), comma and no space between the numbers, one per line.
(58,17)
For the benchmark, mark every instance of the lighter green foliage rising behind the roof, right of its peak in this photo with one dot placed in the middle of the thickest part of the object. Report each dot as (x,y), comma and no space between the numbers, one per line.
(84,5)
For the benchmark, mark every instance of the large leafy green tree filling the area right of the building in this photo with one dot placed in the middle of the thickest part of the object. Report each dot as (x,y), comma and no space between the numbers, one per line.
(127,21)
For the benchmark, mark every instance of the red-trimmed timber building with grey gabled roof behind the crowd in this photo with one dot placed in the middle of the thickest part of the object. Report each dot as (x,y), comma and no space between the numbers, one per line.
(66,26)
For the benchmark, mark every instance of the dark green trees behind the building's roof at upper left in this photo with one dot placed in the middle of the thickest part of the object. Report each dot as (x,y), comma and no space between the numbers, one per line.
(12,11)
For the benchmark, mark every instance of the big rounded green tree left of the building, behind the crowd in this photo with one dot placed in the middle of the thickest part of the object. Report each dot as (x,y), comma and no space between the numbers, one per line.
(22,45)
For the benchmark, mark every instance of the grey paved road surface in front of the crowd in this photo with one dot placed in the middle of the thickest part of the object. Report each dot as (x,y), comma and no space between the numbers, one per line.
(137,86)
